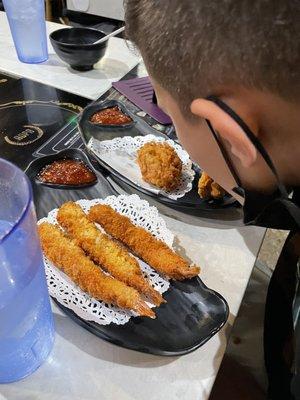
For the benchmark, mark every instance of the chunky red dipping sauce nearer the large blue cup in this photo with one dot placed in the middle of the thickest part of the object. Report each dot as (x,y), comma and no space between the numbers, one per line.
(67,172)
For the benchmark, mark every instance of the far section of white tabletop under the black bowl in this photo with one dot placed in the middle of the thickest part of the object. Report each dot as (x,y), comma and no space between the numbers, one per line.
(118,60)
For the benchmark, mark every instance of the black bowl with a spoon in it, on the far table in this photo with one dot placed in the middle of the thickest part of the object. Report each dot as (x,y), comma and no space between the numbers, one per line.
(75,46)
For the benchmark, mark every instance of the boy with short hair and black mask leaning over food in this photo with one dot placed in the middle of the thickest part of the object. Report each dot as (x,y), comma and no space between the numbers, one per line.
(227,73)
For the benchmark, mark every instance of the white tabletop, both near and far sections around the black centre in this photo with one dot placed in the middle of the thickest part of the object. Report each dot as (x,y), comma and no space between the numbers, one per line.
(84,367)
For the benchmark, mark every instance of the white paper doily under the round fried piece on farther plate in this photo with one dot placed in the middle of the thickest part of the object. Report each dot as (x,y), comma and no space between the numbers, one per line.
(120,153)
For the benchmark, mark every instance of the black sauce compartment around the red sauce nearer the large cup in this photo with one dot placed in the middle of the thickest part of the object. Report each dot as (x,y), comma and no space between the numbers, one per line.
(36,166)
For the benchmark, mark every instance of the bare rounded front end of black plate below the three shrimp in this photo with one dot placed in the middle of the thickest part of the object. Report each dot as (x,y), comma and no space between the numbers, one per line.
(192,315)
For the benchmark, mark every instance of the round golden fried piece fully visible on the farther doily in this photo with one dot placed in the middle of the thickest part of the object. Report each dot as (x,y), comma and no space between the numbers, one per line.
(160,165)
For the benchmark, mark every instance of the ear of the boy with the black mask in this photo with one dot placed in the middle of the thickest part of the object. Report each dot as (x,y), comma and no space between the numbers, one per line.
(228,129)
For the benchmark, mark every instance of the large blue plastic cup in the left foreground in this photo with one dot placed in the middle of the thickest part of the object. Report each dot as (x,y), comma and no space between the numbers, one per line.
(26,323)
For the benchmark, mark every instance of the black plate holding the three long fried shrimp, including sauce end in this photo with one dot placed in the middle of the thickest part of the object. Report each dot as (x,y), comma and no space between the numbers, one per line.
(193,313)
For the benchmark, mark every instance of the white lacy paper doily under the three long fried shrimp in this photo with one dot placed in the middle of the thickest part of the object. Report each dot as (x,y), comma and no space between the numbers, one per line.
(67,293)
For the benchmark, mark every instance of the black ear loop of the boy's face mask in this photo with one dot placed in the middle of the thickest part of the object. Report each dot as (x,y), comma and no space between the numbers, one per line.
(253,140)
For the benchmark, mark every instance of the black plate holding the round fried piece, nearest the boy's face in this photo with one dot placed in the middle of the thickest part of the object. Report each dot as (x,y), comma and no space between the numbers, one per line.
(89,130)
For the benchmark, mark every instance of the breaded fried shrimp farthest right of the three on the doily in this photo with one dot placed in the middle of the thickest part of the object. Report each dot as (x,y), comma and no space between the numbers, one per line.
(153,251)
